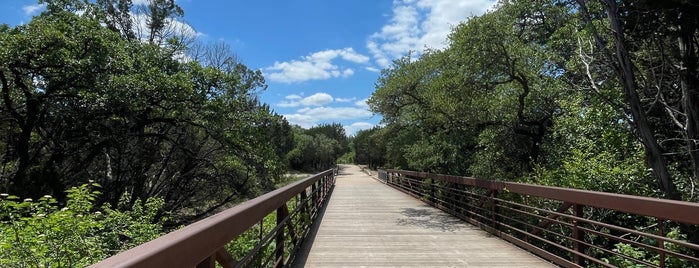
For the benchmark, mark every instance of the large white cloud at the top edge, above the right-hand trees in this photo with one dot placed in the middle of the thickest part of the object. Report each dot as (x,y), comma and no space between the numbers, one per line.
(417,24)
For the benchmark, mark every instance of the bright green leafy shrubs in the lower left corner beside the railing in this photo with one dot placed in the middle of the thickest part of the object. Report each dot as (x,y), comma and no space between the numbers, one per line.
(40,234)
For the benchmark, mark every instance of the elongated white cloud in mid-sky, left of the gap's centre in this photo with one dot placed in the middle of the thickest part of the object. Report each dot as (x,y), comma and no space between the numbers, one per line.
(316,66)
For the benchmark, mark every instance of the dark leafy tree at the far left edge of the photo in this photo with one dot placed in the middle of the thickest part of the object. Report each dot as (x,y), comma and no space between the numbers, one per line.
(48,65)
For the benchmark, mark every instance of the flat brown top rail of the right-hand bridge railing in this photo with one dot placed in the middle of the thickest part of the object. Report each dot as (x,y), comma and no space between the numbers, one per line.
(686,212)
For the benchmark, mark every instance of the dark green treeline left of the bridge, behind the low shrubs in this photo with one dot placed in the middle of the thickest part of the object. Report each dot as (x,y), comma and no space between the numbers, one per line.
(125,96)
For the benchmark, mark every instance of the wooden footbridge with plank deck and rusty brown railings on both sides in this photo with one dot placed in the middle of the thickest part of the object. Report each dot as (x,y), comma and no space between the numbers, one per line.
(402,218)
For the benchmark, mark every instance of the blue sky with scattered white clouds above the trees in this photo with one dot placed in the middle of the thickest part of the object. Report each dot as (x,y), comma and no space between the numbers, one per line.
(320,58)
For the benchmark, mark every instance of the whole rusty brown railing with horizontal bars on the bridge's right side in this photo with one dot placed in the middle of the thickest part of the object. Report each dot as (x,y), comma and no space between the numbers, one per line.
(569,227)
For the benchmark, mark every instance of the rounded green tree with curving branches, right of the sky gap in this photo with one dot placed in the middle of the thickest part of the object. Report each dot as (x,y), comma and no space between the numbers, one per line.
(484,105)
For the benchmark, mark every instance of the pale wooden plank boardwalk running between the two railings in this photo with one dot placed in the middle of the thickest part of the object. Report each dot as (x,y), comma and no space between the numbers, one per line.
(368,224)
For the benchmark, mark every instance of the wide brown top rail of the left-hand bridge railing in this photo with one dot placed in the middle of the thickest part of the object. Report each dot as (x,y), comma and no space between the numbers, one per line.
(195,242)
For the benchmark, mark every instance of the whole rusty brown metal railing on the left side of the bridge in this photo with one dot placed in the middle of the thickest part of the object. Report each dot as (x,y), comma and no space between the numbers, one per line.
(203,243)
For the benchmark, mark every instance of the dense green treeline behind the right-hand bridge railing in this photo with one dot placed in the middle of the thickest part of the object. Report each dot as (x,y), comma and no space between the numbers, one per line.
(599,95)
